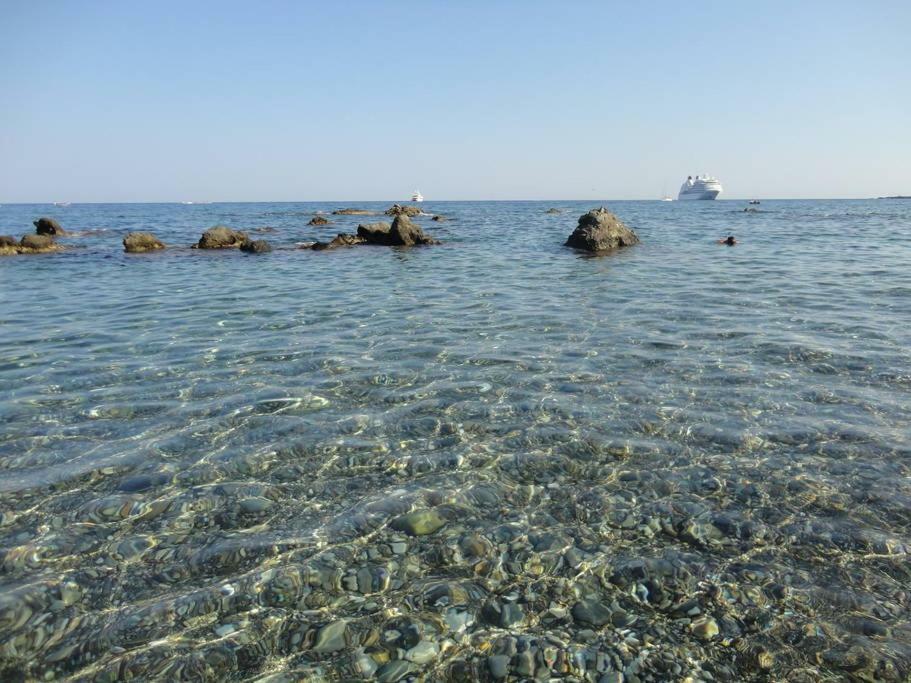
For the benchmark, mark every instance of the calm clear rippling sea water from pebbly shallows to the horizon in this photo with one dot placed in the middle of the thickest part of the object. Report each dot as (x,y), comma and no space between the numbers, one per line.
(491,458)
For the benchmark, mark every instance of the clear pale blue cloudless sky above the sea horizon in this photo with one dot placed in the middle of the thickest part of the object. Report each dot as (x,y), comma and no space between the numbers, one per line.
(170,101)
